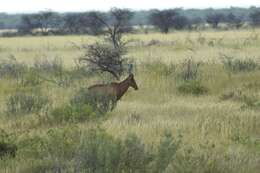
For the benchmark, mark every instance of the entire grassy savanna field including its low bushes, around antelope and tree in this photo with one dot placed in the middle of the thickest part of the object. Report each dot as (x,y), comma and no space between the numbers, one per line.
(197,109)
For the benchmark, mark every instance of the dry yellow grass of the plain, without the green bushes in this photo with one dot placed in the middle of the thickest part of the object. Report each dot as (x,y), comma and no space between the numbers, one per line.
(157,106)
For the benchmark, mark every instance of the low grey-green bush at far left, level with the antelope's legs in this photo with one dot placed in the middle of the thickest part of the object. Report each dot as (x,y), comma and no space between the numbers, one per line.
(23,103)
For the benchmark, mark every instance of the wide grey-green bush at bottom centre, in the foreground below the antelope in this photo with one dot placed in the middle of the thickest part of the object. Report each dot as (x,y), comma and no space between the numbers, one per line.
(100,152)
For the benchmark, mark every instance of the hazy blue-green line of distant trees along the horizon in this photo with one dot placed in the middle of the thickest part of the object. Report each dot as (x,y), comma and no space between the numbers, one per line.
(94,22)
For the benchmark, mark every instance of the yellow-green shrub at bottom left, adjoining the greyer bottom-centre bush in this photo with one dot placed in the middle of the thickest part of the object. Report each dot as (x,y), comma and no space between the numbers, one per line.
(51,152)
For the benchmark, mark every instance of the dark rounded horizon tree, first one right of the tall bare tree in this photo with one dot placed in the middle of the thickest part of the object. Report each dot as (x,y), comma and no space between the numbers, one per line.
(164,20)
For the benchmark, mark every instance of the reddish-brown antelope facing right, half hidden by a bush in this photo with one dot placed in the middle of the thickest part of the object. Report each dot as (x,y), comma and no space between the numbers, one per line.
(116,90)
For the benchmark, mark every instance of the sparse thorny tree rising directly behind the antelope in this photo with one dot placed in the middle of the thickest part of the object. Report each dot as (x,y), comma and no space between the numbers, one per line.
(108,56)
